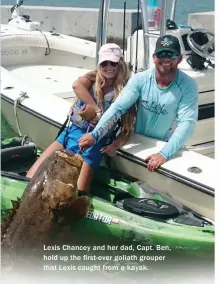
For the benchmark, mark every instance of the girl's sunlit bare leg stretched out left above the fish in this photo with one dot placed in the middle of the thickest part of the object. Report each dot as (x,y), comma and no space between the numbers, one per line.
(55,146)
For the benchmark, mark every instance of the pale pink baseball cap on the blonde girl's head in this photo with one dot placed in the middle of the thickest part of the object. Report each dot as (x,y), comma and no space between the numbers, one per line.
(110,52)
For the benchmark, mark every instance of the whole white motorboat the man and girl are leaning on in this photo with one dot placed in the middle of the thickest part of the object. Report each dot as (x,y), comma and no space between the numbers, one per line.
(45,72)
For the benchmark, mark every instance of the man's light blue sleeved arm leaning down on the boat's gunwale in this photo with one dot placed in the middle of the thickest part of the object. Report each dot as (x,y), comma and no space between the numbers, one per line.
(186,119)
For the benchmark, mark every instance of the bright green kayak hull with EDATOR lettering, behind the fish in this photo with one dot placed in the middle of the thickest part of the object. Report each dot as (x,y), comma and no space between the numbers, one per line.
(106,221)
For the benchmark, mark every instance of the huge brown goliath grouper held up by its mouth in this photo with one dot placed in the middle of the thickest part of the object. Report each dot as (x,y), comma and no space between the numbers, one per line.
(50,197)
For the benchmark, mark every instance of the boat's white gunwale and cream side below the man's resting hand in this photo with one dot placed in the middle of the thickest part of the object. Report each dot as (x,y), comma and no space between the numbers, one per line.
(188,177)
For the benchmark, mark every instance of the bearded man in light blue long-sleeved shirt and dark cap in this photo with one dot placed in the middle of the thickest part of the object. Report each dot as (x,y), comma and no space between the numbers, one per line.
(164,95)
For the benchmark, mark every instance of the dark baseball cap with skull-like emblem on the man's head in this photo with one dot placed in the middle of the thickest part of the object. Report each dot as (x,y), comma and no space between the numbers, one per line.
(168,43)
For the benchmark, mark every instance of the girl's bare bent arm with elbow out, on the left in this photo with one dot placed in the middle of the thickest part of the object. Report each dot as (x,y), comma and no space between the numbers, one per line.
(81,87)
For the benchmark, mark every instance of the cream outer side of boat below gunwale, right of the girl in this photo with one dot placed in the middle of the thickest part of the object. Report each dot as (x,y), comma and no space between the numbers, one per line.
(193,199)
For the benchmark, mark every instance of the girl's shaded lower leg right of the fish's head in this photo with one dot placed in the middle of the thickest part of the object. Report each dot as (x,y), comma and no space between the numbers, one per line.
(85,177)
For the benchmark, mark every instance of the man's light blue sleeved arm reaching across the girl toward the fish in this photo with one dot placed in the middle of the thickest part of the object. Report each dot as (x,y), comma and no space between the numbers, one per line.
(125,100)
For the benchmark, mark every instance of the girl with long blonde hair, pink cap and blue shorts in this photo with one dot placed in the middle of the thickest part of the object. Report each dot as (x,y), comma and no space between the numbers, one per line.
(95,92)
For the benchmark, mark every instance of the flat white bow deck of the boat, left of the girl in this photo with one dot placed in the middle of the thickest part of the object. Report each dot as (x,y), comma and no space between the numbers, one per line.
(53,79)
